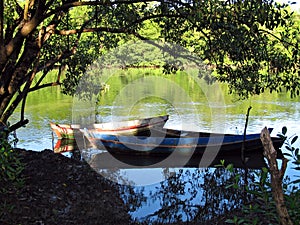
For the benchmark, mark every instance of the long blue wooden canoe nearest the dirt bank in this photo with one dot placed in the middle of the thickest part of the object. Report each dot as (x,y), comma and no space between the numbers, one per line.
(168,141)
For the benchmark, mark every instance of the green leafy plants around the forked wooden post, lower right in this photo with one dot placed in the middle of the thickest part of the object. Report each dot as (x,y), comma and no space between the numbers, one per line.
(261,209)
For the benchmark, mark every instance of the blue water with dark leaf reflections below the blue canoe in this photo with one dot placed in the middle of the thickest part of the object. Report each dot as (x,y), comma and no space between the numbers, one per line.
(187,194)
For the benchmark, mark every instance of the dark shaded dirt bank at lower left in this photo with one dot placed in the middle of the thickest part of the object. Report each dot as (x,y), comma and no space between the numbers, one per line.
(60,190)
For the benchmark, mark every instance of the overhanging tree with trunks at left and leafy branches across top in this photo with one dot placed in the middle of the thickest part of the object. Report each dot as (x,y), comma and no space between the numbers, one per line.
(212,18)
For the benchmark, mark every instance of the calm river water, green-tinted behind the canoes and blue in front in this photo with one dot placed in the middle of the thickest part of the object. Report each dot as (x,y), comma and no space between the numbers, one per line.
(163,194)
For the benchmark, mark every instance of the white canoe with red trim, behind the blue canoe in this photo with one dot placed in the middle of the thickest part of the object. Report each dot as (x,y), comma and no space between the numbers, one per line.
(66,131)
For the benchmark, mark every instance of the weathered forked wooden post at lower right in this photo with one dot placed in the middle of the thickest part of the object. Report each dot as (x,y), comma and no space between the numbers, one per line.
(276,176)
